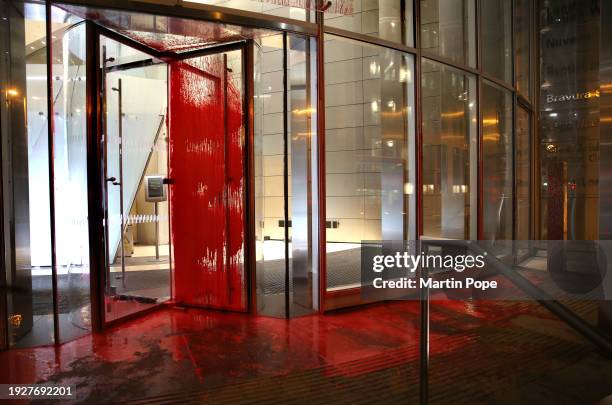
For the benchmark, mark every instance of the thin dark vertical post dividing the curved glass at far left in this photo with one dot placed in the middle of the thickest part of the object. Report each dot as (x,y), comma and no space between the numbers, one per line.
(51,156)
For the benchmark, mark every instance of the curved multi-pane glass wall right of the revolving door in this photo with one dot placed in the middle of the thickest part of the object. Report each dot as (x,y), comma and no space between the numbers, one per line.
(468,162)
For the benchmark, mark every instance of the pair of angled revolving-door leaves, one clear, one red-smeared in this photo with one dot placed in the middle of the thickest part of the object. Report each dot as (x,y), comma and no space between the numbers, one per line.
(174,188)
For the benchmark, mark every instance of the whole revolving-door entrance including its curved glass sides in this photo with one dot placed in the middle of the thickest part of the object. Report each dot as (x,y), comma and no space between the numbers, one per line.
(172,158)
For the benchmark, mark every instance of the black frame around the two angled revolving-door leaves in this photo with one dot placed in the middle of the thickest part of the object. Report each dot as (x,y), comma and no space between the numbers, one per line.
(95,165)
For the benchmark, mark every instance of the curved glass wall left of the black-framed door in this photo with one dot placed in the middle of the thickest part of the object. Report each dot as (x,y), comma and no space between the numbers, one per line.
(30,310)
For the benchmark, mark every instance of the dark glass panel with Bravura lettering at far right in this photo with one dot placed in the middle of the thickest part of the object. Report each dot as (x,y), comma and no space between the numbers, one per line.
(569,120)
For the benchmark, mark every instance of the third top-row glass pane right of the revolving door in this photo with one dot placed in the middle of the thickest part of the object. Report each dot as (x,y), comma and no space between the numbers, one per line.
(496,38)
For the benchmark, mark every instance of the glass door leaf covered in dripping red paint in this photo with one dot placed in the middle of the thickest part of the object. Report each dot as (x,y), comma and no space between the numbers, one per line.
(207,198)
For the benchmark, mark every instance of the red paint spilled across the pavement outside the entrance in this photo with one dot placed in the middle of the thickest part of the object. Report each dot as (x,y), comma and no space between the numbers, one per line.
(175,349)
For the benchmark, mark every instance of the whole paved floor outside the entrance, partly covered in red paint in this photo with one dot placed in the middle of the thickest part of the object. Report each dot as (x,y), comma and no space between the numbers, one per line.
(481,352)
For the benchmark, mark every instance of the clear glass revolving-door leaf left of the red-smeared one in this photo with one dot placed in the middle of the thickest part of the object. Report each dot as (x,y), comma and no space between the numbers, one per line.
(136,226)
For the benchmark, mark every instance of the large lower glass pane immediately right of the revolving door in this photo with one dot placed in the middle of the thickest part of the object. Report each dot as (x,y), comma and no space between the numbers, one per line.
(369,150)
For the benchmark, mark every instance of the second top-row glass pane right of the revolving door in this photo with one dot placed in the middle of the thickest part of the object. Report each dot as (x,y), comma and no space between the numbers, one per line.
(448,29)
